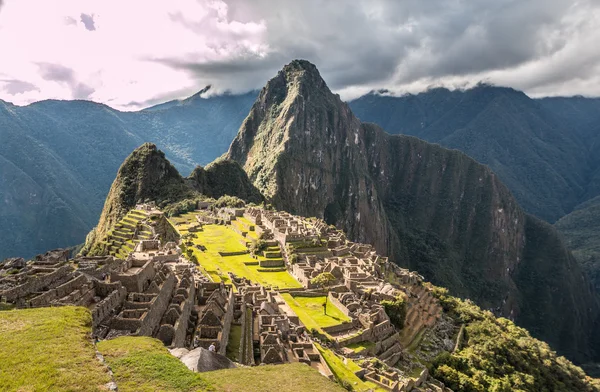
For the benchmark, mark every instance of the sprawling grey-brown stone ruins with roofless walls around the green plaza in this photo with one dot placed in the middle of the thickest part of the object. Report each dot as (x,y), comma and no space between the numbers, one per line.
(156,292)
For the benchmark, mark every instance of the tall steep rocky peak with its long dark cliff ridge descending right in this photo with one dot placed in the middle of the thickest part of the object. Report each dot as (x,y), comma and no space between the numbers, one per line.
(429,208)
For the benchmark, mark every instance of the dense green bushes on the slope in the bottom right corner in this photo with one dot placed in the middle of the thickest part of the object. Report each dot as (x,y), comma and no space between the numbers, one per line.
(496,355)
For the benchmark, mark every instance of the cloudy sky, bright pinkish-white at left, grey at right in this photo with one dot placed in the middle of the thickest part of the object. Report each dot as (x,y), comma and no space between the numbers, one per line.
(131,54)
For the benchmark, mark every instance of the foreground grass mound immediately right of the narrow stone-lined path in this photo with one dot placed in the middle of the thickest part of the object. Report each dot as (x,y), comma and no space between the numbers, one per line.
(142,364)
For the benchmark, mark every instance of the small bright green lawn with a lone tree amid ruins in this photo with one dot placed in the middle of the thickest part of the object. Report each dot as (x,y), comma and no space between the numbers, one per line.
(310,311)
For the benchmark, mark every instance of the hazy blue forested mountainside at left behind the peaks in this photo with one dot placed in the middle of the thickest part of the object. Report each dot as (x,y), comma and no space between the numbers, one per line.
(58,159)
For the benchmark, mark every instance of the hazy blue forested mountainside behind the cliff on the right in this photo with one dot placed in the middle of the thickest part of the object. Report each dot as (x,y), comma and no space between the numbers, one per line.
(544,150)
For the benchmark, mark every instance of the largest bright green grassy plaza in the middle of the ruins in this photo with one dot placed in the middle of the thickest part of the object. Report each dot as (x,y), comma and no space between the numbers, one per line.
(222,238)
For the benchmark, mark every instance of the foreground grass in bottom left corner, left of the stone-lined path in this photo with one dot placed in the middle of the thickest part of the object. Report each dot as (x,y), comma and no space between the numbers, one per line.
(49,349)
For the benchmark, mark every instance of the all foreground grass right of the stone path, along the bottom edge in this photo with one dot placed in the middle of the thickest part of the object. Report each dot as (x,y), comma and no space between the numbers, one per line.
(143,364)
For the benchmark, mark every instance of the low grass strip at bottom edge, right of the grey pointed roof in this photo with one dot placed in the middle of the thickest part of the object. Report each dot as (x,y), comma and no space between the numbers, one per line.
(296,377)
